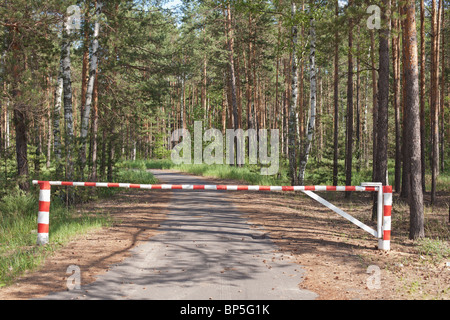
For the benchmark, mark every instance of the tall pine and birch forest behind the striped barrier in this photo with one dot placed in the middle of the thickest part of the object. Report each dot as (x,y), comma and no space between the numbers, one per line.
(357,89)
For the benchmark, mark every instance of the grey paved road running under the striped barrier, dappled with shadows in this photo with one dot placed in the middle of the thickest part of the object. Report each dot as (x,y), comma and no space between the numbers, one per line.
(208,251)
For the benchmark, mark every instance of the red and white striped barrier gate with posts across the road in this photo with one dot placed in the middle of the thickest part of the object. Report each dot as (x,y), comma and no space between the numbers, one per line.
(383,209)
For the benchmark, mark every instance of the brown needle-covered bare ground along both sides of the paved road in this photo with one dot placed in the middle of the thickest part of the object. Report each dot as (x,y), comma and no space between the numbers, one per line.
(341,261)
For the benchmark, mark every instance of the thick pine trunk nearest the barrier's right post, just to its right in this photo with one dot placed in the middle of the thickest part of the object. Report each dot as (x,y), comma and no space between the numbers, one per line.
(413,123)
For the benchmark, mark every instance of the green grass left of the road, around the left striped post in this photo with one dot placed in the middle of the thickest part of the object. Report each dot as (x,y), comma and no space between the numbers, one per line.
(18,226)
